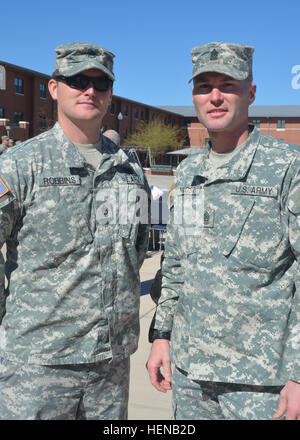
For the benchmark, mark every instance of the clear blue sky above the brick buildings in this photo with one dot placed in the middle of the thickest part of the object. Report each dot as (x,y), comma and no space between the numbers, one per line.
(152,41)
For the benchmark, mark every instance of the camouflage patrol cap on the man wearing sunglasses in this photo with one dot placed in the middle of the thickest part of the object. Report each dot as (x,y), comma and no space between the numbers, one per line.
(73,58)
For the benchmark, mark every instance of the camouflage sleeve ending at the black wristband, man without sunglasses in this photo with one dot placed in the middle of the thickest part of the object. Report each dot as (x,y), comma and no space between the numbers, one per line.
(172,280)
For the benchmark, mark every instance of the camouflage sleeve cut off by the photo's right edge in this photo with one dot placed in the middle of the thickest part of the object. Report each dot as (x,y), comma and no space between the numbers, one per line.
(293,340)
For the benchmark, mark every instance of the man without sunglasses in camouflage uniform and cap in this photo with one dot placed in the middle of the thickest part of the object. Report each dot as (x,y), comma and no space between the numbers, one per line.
(229,309)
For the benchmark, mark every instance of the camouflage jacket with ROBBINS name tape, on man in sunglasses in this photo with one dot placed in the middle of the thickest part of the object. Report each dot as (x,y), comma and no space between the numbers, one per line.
(74,288)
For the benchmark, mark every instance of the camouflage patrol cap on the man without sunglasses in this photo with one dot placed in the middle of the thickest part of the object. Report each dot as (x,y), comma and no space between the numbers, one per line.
(234,60)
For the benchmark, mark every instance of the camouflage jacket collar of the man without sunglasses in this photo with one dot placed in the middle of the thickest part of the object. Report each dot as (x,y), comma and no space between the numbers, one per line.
(235,169)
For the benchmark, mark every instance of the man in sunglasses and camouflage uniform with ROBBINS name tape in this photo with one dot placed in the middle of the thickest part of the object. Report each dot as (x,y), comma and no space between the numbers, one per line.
(74,217)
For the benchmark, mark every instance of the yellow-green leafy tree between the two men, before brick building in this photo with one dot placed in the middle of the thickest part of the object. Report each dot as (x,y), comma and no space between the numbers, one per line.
(158,137)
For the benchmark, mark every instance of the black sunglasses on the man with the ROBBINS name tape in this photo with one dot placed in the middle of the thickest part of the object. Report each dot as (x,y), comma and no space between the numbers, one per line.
(80,81)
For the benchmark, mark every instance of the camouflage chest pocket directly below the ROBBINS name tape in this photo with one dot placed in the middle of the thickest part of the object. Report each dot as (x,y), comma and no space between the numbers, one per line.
(57,220)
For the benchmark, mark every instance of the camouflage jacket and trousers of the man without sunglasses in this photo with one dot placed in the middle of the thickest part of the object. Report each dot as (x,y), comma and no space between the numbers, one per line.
(231,279)
